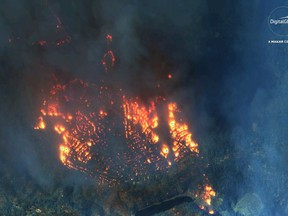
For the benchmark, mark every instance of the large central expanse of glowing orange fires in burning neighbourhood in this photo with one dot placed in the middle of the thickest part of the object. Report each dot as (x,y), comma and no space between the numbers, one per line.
(87,124)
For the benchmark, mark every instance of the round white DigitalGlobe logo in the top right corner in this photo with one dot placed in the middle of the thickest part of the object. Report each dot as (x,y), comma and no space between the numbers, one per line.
(278,21)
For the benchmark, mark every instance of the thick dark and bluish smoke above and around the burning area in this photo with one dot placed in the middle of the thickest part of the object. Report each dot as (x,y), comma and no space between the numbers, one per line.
(228,80)
